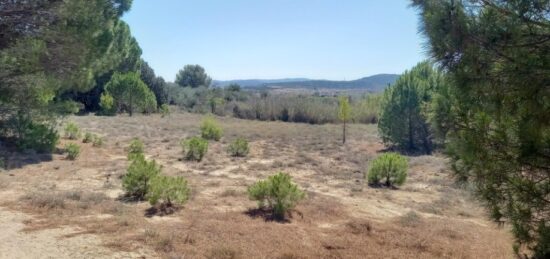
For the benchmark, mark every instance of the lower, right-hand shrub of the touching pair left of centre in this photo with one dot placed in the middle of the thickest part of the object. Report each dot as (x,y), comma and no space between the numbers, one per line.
(169,191)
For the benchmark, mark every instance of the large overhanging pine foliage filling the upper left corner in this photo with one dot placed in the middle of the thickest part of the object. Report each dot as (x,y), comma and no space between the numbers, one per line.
(51,48)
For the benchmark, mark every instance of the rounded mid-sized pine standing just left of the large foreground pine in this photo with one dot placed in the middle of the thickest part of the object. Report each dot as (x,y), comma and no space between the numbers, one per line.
(403,121)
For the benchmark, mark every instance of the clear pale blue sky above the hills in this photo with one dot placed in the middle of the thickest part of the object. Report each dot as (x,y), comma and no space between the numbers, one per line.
(268,39)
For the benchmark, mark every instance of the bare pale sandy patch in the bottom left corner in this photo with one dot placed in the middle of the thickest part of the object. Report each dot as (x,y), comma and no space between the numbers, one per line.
(51,243)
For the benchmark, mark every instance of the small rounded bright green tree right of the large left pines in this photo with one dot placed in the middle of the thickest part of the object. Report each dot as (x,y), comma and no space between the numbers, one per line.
(131,94)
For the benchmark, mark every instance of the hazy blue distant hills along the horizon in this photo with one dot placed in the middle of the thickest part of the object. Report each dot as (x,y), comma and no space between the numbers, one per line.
(375,83)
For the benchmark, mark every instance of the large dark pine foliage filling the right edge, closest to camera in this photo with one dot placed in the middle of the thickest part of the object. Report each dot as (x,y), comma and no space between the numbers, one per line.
(495,113)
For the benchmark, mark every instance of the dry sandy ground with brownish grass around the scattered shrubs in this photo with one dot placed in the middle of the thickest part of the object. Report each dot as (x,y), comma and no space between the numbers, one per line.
(55,208)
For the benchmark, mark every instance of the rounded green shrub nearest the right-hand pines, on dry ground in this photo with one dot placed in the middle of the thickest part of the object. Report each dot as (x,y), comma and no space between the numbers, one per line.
(389,169)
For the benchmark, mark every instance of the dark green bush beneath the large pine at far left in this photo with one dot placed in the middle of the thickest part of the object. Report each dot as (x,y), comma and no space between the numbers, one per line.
(38,137)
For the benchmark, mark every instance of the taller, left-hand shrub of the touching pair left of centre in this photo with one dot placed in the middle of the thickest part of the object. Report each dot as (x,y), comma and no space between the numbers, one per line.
(137,179)
